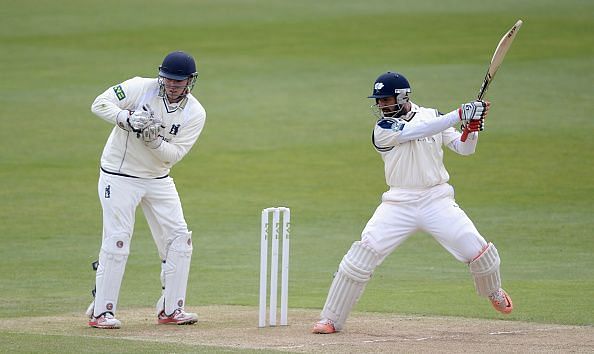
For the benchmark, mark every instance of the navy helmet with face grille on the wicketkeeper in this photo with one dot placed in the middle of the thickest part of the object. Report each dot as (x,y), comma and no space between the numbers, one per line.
(178,65)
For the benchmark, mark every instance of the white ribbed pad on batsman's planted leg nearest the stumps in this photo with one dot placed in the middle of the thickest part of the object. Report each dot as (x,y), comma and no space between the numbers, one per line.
(354,272)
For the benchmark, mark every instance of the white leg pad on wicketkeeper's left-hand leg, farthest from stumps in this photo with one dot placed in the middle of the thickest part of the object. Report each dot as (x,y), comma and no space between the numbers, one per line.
(112,263)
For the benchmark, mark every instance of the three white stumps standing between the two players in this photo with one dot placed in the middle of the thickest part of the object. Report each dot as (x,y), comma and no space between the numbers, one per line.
(286,220)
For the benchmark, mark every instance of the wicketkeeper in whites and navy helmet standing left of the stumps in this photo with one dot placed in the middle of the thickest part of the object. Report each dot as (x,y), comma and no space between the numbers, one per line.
(157,121)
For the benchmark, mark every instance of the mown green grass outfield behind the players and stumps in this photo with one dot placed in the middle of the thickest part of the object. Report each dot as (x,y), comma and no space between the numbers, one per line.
(284,84)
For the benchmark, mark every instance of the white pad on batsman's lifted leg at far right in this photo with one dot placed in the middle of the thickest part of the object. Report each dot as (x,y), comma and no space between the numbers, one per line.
(485,271)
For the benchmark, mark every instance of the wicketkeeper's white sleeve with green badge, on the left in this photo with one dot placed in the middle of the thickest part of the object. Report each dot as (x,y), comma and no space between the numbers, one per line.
(117,99)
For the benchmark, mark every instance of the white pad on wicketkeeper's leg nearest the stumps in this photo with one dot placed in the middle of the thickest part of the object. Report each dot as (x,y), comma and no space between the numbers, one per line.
(174,274)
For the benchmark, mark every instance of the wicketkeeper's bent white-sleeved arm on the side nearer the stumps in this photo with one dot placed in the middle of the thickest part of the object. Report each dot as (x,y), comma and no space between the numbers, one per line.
(173,151)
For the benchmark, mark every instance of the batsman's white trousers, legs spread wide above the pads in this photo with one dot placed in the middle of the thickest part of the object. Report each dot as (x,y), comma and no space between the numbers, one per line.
(433,210)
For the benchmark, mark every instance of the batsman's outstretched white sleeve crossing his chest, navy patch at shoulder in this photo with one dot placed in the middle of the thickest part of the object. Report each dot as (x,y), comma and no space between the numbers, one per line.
(393,131)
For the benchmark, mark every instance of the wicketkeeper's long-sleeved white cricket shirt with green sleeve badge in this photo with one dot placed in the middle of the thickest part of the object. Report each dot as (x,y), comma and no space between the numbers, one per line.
(124,152)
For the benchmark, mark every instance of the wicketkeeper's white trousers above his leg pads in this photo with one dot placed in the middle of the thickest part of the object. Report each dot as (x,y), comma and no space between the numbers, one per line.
(120,196)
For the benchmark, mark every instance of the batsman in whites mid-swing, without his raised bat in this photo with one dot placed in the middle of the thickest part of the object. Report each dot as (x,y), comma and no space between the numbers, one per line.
(409,139)
